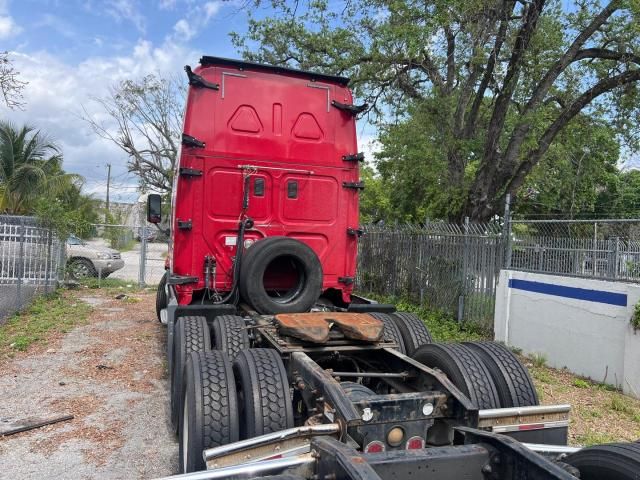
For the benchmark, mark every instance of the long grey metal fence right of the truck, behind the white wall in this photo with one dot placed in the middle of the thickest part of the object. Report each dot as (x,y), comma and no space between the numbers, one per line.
(454,268)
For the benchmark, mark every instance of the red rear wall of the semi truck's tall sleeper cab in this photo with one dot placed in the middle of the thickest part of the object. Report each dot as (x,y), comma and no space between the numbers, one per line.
(279,127)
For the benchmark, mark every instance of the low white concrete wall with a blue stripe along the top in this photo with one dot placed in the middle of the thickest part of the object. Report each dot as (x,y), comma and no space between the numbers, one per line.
(583,325)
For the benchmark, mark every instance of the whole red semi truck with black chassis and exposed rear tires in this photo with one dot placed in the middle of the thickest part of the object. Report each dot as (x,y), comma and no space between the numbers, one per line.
(277,368)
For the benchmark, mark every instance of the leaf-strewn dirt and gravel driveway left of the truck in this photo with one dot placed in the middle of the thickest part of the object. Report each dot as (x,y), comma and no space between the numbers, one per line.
(109,374)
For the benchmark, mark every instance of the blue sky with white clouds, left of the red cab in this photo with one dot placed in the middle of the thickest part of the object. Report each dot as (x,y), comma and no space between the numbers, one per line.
(72,50)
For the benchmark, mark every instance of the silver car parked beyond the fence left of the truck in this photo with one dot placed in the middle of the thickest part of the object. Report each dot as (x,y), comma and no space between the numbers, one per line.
(84,260)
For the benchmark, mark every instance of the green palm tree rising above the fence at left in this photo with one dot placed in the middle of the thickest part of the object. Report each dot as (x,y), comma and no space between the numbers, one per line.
(30,168)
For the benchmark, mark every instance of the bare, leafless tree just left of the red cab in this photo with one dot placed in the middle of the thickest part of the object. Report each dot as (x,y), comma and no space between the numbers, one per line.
(145,121)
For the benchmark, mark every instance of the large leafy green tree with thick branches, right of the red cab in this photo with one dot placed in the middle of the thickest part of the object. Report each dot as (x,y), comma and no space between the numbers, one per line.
(472,96)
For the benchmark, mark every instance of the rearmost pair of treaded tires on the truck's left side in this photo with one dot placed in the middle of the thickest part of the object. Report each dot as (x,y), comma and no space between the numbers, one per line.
(225,402)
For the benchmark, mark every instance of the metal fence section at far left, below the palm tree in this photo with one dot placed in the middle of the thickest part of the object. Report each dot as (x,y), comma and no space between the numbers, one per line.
(32,262)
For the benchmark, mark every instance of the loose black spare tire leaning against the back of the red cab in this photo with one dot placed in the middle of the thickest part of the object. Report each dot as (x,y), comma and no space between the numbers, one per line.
(280,275)
